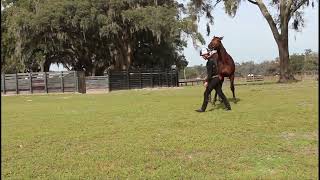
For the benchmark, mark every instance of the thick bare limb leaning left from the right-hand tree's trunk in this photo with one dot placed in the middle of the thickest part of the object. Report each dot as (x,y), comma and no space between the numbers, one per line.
(269,19)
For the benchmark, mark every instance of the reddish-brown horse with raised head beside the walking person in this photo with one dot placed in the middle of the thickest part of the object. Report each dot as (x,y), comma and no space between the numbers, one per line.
(226,67)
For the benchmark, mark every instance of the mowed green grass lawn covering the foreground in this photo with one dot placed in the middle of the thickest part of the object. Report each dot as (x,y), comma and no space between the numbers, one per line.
(271,133)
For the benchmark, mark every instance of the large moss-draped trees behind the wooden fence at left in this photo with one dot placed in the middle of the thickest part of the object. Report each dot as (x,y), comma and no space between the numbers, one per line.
(95,35)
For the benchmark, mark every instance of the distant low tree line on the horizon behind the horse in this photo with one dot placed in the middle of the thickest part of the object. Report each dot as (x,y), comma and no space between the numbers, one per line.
(299,63)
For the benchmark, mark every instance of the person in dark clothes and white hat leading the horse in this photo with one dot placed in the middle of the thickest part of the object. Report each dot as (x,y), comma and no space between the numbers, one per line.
(212,82)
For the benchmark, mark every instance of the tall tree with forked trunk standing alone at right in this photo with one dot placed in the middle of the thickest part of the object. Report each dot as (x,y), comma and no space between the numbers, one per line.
(278,13)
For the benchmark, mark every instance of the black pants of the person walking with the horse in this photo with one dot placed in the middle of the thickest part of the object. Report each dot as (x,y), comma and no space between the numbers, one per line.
(214,83)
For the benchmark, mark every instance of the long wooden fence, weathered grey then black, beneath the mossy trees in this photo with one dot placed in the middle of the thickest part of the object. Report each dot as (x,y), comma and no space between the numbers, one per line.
(73,81)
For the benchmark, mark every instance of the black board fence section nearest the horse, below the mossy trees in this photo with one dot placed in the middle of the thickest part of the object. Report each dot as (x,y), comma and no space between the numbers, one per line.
(138,79)
